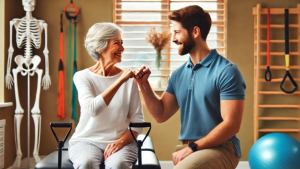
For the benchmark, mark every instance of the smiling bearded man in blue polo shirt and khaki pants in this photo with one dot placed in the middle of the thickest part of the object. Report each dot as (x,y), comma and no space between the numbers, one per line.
(208,89)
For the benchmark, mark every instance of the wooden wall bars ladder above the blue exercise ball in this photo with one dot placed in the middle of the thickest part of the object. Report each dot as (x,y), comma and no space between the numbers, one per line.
(258,68)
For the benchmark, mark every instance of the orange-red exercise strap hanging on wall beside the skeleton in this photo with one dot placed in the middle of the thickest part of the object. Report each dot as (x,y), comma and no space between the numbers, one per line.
(61,87)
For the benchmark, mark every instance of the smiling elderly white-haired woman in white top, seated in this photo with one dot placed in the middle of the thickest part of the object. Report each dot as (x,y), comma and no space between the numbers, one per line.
(109,99)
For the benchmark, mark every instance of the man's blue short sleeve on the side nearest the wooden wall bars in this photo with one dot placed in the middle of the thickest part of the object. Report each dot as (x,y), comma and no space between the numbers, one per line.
(231,83)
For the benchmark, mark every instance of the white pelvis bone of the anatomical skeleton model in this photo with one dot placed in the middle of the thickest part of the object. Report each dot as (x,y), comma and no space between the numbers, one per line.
(27,65)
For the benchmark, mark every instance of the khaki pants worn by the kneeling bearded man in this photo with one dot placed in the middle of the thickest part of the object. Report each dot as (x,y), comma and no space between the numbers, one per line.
(219,157)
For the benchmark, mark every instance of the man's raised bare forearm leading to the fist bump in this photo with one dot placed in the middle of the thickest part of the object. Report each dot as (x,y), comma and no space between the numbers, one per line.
(153,103)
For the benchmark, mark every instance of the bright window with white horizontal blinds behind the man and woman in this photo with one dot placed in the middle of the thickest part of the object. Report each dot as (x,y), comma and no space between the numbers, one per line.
(137,17)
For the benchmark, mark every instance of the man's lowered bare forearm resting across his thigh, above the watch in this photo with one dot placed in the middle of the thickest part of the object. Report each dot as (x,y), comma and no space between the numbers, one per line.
(220,134)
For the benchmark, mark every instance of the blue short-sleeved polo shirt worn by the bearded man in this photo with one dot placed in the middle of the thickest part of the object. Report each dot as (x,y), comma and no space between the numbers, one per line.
(199,89)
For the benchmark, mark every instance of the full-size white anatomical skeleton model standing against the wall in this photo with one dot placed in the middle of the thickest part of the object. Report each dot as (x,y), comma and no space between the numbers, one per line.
(28,34)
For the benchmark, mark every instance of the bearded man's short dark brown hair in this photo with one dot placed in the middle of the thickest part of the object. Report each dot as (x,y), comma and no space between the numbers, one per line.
(192,16)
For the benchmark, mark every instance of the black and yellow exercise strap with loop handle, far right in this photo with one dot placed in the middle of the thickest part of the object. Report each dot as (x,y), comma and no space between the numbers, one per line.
(287,56)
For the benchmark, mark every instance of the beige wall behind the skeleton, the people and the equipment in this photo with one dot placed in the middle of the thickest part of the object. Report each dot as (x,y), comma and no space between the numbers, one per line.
(164,136)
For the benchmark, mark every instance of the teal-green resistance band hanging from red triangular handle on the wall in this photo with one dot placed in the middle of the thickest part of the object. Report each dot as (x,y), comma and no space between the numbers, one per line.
(74,93)
